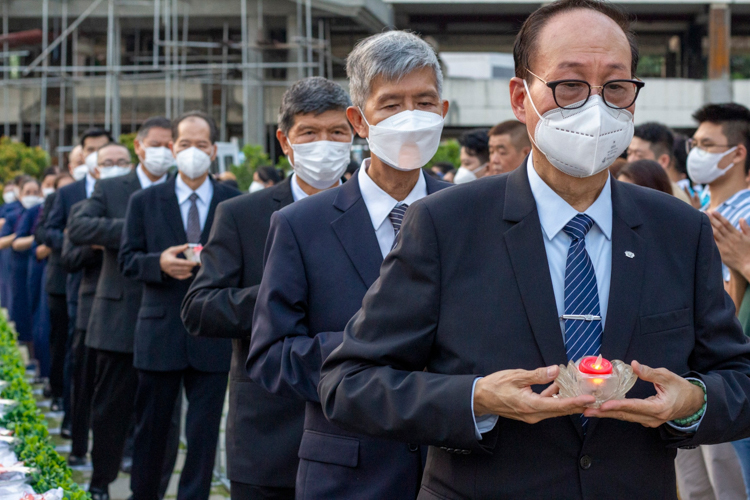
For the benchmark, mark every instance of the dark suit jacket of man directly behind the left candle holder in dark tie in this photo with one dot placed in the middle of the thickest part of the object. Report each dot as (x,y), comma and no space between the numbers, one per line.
(117,299)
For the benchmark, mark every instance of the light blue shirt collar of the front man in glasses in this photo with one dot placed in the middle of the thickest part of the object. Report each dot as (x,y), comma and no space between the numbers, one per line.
(555,213)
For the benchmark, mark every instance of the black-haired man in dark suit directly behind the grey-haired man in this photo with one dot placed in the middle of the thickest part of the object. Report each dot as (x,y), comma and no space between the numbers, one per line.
(263,436)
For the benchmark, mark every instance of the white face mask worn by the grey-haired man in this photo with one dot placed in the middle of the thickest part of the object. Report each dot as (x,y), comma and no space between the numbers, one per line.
(406,140)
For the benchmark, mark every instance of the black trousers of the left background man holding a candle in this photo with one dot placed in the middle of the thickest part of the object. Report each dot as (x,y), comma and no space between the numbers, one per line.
(154,404)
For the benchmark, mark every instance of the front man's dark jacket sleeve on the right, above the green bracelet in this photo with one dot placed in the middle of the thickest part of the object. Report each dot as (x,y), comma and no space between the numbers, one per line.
(721,355)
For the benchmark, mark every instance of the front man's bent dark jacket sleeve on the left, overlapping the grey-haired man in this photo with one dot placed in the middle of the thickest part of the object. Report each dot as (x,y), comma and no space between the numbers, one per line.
(376,382)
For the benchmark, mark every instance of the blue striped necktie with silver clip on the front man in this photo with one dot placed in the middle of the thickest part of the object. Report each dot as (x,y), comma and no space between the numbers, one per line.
(582,338)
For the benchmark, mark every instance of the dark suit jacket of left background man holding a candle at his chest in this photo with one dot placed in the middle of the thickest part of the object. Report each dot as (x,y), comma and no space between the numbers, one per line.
(153,224)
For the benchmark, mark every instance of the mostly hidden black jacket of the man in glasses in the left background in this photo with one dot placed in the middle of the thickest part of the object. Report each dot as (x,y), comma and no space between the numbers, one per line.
(85,262)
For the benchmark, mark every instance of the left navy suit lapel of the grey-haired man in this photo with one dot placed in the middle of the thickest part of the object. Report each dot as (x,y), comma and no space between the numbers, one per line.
(355,232)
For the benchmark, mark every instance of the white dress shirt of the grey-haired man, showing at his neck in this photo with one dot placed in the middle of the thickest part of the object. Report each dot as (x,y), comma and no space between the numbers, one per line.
(379,205)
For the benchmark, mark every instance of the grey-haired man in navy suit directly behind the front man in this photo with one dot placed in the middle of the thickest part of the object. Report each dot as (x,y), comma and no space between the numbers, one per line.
(322,255)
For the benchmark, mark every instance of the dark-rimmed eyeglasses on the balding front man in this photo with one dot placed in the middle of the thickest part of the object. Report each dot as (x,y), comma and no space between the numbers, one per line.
(573,94)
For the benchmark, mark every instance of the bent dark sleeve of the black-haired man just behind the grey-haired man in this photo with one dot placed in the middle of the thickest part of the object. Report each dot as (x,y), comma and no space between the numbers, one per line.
(216,305)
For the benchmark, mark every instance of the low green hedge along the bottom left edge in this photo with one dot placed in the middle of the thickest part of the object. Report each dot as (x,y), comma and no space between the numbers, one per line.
(34,446)
